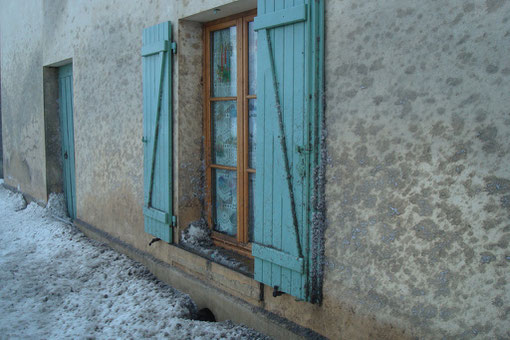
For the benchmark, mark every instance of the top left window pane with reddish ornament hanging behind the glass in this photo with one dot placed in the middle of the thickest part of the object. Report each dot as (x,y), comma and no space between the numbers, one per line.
(223,63)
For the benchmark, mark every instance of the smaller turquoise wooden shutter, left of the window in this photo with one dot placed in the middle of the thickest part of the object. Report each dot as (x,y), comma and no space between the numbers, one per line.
(157,130)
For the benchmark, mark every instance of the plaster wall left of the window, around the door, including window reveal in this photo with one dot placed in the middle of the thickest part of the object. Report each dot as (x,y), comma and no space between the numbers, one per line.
(102,39)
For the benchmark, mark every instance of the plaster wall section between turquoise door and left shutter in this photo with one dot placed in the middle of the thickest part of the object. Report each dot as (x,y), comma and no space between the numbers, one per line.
(108,110)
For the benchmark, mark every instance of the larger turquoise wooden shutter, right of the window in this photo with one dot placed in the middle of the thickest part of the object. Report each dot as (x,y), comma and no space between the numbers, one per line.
(285,143)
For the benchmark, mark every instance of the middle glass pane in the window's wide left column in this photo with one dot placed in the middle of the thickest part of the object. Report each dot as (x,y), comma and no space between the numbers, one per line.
(224,132)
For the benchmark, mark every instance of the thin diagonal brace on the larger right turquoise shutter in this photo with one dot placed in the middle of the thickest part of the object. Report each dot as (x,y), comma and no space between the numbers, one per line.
(283,144)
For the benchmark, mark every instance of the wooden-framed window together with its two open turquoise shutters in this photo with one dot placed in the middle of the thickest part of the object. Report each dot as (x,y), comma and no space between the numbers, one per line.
(280,84)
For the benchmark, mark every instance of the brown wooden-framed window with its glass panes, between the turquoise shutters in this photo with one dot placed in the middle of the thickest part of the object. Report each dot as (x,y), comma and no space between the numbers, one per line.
(229,124)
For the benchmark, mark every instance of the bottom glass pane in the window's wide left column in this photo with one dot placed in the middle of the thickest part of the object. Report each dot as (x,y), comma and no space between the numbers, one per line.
(224,201)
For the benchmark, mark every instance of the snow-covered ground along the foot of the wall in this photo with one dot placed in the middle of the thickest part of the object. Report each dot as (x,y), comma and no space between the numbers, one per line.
(57,283)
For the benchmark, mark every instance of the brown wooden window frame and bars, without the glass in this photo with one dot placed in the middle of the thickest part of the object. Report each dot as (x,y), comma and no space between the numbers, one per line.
(240,243)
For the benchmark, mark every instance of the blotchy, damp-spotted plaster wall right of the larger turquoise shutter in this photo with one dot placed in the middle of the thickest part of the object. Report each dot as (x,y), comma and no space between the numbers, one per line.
(418,180)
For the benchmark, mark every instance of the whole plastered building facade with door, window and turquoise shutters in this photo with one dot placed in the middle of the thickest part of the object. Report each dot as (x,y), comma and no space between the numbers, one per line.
(383,213)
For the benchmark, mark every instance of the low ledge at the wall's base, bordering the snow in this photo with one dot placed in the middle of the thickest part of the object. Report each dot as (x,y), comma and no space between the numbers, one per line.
(238,310)
